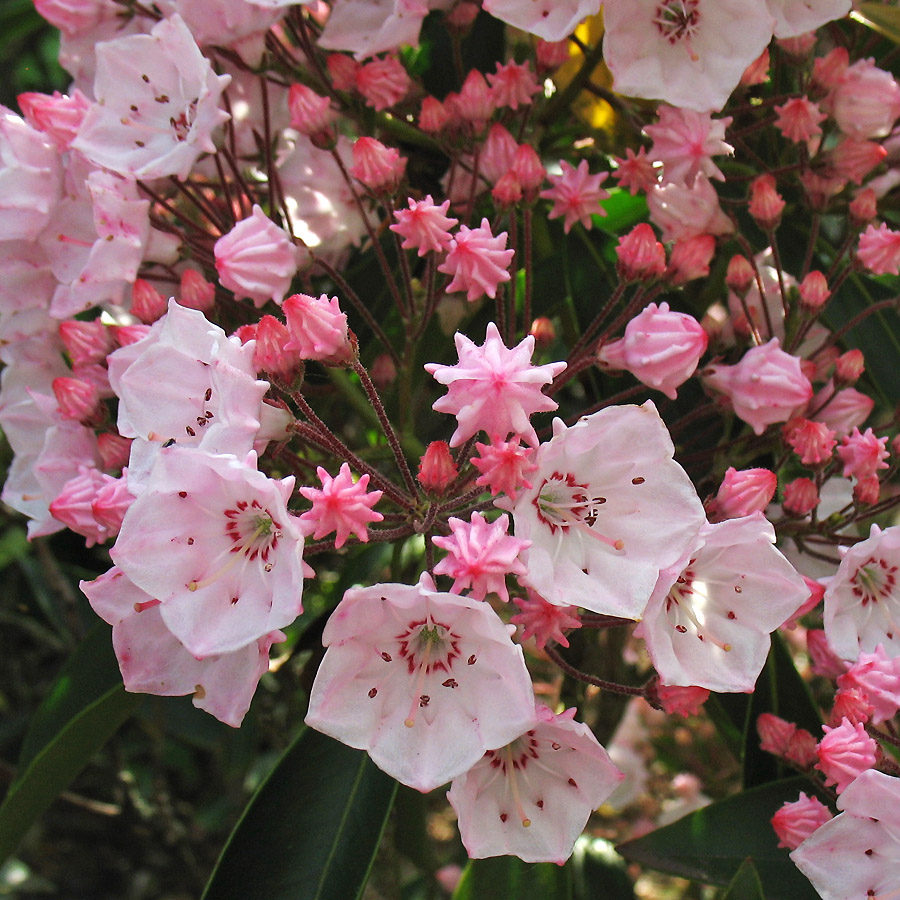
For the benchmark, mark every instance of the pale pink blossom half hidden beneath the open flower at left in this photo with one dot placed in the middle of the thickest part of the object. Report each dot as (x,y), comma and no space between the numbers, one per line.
(153,661)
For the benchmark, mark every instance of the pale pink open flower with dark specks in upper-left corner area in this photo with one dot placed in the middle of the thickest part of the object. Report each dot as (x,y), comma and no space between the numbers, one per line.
(160,123)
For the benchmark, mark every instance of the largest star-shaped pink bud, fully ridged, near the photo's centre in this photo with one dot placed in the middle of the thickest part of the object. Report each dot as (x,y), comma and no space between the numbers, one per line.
(494,388)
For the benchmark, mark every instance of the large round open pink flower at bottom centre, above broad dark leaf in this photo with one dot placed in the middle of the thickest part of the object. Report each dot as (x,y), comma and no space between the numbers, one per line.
(424,681)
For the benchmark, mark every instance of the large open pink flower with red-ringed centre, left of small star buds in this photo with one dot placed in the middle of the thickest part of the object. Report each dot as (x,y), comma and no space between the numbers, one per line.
(210,537)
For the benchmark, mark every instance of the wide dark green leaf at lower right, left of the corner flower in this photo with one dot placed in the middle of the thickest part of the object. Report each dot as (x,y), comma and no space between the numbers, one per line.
(711,845)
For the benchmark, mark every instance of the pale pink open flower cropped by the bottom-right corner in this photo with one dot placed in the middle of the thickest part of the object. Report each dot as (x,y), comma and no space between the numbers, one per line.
(855,854)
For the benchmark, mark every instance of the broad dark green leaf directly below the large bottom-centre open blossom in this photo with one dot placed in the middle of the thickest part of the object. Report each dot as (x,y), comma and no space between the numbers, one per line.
(312,829)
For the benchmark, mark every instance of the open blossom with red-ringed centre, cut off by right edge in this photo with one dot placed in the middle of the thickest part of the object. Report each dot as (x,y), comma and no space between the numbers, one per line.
(862,601)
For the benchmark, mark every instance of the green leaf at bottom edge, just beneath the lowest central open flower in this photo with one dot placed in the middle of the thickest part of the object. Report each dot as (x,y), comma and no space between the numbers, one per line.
(508,878)
